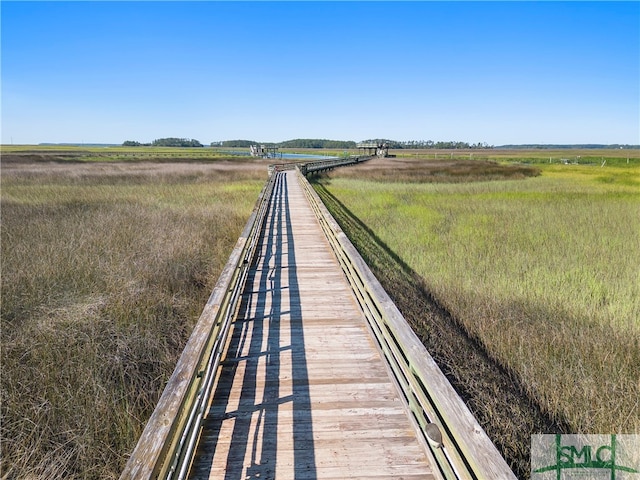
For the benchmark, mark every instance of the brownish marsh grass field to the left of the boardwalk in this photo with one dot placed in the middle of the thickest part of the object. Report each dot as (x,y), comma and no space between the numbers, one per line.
(103,277)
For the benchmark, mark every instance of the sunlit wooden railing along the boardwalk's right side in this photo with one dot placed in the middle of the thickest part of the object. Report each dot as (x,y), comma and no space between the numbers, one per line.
(458,442)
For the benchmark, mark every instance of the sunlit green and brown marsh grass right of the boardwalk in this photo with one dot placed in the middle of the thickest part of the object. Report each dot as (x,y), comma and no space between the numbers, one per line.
(542,273)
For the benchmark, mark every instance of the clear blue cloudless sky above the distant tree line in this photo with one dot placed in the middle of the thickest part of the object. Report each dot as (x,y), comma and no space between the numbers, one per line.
(495,72)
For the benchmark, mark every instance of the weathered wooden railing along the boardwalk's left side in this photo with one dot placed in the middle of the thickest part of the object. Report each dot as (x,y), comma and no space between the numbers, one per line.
(168,440)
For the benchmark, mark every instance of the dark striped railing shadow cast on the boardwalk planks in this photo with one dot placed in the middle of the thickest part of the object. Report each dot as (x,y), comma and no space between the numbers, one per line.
(256,348)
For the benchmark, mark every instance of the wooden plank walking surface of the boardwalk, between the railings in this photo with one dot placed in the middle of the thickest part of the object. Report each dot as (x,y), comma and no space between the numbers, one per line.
(302,391)
